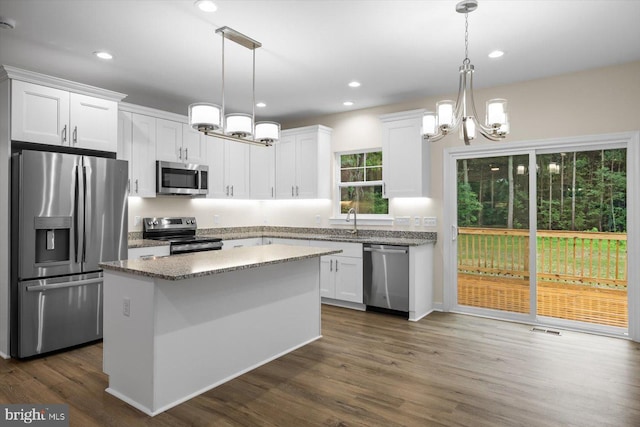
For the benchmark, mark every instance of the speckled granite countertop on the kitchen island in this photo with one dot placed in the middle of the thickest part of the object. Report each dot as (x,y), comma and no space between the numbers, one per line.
(198,264)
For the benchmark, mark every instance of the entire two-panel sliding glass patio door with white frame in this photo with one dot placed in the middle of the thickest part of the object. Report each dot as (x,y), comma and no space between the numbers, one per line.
(540,234)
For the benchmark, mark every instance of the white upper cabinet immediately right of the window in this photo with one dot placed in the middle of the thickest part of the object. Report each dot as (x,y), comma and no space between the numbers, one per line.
(405,155)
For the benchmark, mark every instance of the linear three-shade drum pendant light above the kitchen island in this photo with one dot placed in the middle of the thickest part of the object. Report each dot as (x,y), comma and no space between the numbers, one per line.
(208,118)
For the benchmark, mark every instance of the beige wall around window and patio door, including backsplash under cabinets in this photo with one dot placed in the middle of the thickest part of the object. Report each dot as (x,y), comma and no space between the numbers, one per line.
(596,101)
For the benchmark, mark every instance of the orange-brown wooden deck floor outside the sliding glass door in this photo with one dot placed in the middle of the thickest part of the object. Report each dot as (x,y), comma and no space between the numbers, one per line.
(572,302)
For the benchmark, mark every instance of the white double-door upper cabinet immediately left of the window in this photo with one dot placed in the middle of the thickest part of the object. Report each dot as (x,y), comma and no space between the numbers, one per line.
(303,163)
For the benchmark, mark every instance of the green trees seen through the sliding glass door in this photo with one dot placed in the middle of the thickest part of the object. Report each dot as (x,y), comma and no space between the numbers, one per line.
(597,201)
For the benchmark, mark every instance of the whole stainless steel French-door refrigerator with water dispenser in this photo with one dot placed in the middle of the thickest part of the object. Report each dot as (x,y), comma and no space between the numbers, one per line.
(69,213)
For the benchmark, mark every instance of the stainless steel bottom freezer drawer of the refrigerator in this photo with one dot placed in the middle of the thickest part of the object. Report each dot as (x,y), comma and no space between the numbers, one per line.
(58,313)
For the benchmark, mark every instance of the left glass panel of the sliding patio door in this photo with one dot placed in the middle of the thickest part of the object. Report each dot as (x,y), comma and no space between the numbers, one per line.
(493,233)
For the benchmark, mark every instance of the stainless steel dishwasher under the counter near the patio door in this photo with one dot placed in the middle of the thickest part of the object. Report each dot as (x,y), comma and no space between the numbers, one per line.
(386,278)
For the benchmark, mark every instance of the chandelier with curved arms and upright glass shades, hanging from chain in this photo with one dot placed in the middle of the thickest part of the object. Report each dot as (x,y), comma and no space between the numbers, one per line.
(463,113)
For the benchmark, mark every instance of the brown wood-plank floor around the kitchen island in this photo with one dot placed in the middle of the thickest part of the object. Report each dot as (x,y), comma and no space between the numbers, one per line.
(376,370)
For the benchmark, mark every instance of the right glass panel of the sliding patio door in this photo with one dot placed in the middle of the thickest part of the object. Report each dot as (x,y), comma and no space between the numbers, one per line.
(582,236)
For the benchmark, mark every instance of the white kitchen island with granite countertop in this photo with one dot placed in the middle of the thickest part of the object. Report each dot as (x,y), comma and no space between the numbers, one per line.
(177,326)
